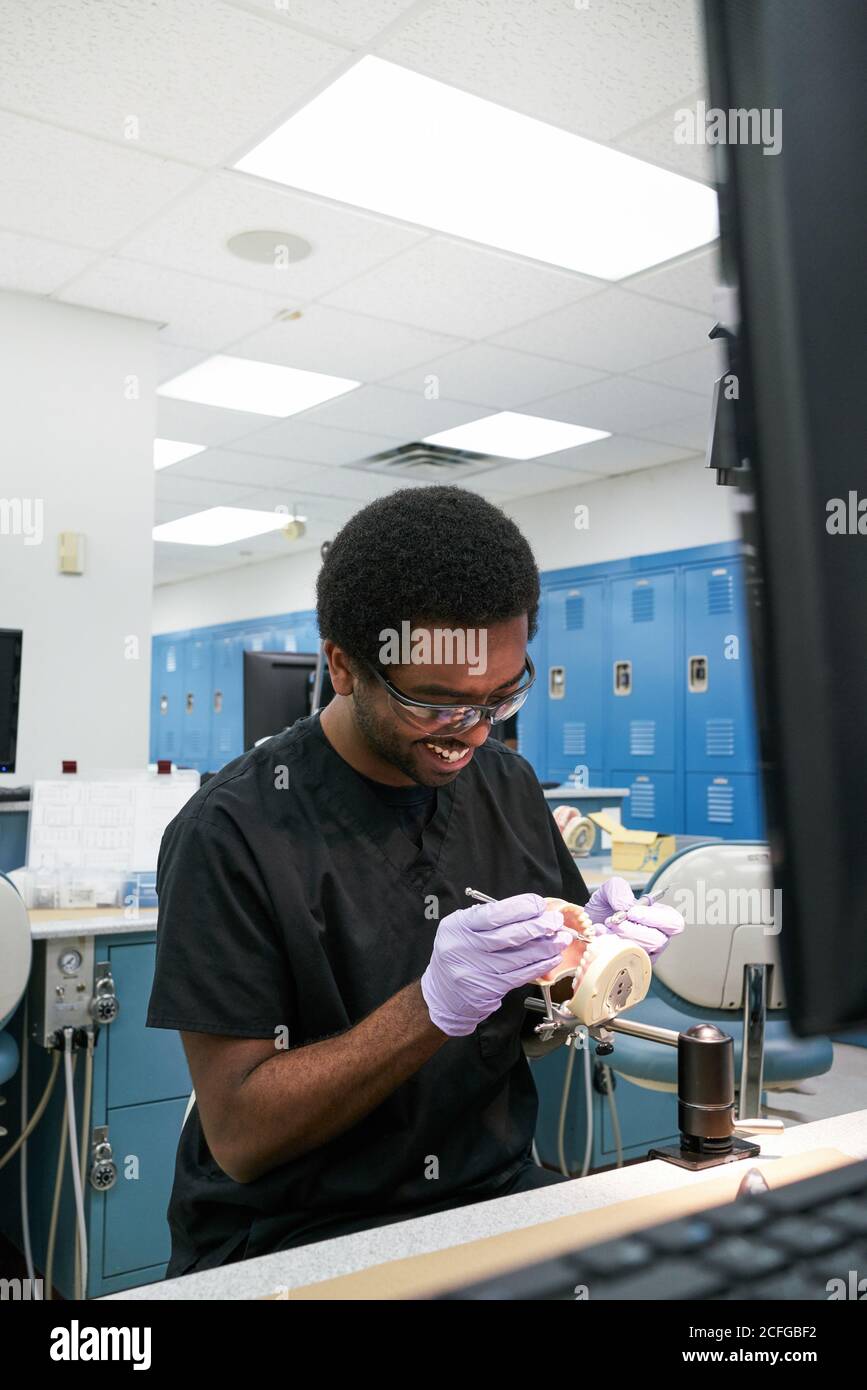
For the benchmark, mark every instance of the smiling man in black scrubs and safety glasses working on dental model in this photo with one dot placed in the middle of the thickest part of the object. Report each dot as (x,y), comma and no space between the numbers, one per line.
(352,1024)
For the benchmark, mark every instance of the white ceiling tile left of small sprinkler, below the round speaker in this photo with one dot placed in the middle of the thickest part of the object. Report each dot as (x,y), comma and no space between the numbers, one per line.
(197,313)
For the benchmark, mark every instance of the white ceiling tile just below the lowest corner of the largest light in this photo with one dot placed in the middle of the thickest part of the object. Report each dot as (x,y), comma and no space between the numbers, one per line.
(613,332)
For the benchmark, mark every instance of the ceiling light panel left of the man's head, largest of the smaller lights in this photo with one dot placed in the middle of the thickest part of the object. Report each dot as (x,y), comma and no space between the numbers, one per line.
(261,389)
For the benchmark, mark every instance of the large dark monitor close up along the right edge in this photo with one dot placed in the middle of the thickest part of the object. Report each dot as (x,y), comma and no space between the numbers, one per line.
(793,247)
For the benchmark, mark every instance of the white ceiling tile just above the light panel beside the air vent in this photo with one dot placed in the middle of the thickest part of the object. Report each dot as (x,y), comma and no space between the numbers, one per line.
(494,377)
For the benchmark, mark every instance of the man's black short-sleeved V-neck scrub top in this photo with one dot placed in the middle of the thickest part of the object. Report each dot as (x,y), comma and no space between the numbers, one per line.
(292,899)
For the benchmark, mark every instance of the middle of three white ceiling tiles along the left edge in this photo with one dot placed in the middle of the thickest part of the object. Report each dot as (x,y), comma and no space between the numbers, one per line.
(70,188)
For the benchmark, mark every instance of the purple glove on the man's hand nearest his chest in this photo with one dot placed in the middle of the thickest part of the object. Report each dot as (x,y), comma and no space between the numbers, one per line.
(480,954)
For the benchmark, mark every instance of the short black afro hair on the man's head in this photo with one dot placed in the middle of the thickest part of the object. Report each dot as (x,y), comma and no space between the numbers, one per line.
(436,555)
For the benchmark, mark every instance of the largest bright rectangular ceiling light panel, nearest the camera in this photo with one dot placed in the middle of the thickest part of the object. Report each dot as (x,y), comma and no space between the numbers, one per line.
(395,142)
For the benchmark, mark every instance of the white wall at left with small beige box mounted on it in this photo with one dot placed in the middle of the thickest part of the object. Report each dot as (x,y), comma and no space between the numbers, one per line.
(77,440)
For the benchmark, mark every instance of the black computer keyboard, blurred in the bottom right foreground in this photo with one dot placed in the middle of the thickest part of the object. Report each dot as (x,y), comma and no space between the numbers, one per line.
(787,1243)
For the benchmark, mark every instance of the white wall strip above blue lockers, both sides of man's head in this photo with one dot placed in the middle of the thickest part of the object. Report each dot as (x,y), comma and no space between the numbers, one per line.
(638,514)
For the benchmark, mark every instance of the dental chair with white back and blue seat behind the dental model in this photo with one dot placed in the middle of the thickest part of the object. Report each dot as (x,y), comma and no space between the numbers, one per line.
(725,970)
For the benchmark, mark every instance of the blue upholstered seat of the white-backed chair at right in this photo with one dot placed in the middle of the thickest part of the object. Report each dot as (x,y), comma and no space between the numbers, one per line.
(787,1058)
